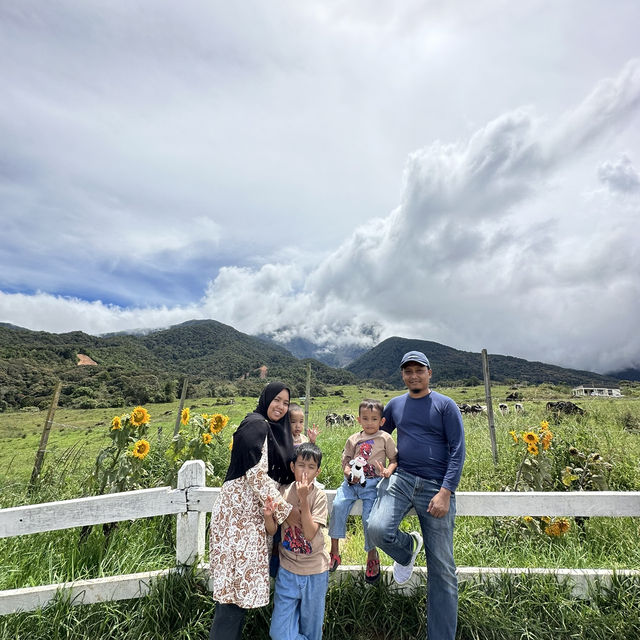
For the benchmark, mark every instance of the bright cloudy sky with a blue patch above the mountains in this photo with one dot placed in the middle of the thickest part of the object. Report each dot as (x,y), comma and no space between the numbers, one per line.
(464,172)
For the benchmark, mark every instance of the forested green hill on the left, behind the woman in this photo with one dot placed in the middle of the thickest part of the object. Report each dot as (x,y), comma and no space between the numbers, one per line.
(217,359)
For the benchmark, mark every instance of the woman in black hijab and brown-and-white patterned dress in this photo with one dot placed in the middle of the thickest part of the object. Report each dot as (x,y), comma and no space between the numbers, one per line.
(239,544)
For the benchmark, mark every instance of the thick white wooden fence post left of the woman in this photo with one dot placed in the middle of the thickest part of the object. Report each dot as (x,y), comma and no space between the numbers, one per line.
(190,530)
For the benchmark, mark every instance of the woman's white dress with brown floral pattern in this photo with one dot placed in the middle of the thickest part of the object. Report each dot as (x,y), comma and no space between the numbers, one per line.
(239,544)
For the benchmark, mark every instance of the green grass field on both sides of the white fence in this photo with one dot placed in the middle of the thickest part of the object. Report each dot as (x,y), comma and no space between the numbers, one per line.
(610,428)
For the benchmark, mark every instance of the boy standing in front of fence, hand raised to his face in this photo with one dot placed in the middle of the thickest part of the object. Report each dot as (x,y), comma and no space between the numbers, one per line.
(302,580)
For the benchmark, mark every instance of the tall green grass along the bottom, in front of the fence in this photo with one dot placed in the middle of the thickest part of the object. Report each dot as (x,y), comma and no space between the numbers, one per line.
(505,608)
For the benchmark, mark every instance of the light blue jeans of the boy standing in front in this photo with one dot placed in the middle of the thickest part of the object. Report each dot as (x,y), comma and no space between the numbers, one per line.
(298,606)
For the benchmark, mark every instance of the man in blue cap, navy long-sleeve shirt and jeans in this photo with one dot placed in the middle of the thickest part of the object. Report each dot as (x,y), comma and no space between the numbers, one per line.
(431,454)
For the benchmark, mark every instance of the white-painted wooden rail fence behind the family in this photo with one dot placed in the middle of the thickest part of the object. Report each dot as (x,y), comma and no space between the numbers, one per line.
(191,501)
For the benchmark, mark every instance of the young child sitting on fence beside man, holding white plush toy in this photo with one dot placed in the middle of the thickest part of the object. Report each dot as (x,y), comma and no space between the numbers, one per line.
(375,447)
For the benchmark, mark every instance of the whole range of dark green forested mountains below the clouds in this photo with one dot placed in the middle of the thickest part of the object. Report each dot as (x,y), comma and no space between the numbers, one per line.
(126,369)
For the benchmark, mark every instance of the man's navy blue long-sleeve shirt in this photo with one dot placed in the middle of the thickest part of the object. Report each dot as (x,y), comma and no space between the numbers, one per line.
(430,436)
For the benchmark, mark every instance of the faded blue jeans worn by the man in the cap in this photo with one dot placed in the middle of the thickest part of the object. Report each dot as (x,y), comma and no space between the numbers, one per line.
(396,496)
